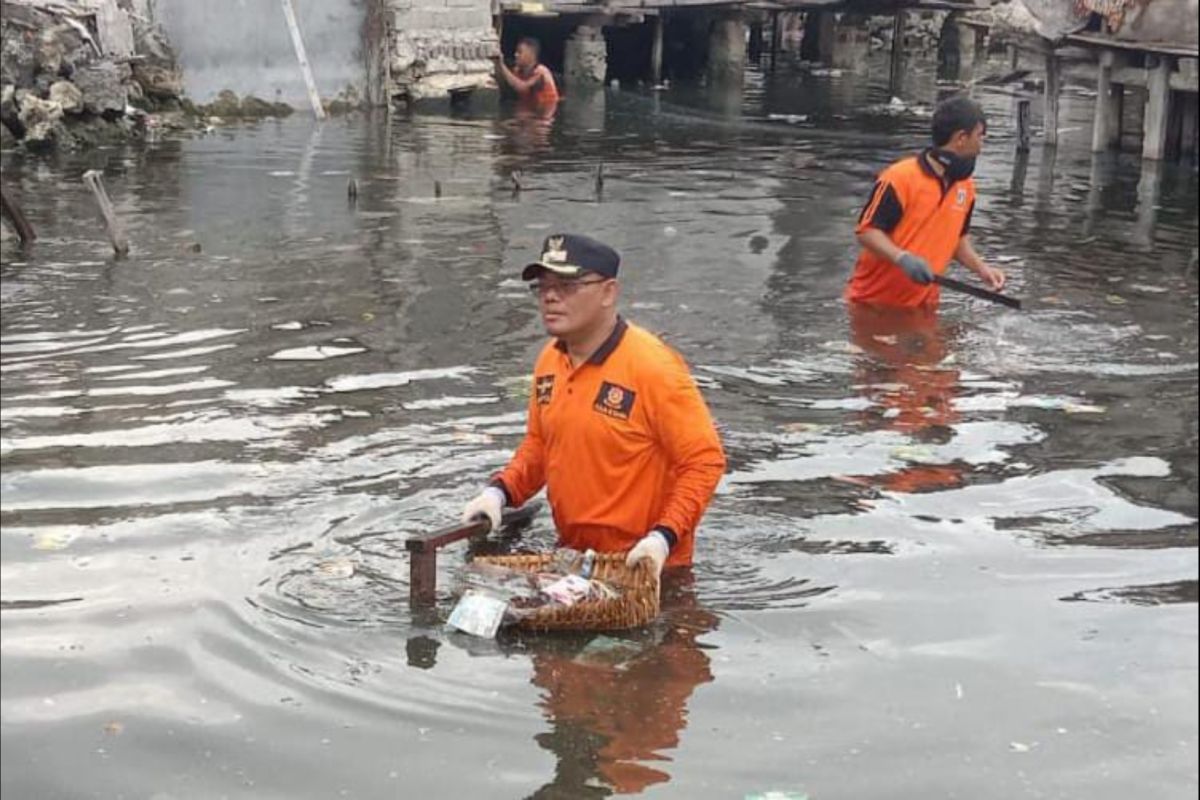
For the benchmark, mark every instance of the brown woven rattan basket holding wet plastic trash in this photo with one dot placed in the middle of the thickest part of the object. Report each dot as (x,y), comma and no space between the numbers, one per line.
(637,606)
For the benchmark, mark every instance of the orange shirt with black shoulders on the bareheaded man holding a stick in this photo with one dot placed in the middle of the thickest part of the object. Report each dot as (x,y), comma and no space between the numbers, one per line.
(923,215)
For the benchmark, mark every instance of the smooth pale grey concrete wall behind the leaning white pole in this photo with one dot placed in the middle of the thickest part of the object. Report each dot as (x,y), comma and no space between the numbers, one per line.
(245,46)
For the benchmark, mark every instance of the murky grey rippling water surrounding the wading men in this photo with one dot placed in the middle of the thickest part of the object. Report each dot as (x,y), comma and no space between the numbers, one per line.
(214,450)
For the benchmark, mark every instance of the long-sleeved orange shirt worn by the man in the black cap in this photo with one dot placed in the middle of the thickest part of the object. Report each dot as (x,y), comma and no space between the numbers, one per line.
(623,444)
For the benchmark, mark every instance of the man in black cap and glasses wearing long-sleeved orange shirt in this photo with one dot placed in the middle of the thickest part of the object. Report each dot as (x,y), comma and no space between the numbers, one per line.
(619,432)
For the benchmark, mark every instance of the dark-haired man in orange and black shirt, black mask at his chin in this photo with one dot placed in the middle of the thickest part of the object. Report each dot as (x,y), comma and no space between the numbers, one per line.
(920,216)
